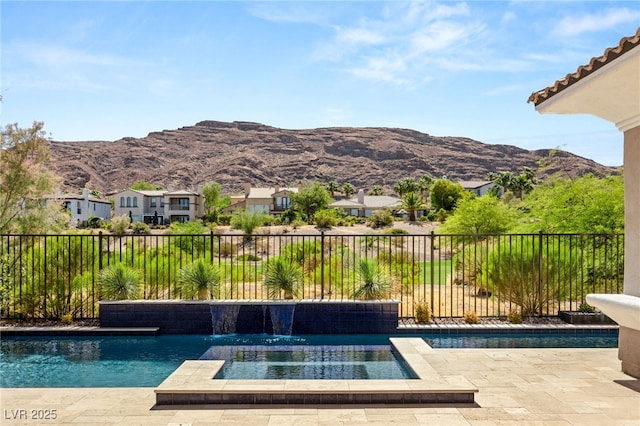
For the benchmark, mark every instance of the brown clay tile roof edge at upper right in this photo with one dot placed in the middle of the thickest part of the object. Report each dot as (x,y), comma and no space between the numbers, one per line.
(612,53)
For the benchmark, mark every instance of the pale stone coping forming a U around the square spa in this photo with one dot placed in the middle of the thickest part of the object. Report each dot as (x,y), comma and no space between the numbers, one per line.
(193,383)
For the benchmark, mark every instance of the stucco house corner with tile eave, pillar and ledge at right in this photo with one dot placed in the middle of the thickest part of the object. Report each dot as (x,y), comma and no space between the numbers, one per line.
(609,87)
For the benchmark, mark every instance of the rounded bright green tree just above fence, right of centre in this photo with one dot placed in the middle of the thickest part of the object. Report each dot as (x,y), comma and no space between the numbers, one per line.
(481,215)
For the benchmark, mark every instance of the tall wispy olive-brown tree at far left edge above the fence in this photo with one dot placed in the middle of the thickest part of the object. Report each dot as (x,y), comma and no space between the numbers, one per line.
(25,180)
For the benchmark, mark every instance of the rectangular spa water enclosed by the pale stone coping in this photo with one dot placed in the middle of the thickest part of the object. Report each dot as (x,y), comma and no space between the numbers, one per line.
(309,362)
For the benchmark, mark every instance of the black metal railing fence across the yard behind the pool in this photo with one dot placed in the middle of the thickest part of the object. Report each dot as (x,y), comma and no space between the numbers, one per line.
(48,276)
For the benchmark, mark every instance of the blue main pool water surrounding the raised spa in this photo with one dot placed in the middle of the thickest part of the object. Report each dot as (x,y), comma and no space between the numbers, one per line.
(147,361)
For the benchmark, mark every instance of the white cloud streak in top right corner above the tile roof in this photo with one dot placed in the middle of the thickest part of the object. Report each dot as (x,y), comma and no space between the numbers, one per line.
(575,25)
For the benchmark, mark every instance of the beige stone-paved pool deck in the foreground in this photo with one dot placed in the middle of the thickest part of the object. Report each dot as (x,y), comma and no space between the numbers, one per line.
(515,386)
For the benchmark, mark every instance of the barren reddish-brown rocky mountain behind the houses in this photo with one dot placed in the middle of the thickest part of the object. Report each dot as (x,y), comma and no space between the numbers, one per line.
(238,152)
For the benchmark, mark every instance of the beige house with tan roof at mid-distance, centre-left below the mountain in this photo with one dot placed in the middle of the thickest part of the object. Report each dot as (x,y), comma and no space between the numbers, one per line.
(271,200)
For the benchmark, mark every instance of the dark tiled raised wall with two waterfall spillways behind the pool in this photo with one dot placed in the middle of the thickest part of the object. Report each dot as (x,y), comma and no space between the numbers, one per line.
(311,317)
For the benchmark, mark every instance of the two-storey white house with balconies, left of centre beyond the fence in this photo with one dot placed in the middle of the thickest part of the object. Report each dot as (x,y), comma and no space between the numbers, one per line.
(159,206)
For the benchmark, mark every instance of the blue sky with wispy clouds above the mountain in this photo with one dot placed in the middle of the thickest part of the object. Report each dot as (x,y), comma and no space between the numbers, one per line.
(106,70)
